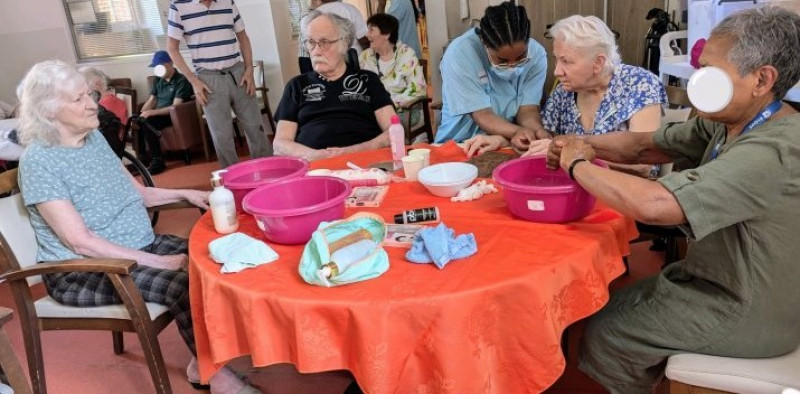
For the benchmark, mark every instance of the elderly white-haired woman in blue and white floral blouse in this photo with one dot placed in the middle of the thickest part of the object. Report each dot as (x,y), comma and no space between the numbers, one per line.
(596,93)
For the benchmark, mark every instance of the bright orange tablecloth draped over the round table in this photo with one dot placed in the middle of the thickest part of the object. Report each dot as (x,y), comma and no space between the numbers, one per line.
(490,323)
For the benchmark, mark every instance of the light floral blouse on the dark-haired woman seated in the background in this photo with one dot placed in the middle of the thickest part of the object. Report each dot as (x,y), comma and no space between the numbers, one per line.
(402,76)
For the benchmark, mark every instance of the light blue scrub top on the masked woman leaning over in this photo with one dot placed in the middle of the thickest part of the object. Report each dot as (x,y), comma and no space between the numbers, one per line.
(469,84)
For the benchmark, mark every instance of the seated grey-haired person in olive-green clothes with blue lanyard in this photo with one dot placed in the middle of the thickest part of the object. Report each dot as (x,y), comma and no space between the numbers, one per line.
(737,199)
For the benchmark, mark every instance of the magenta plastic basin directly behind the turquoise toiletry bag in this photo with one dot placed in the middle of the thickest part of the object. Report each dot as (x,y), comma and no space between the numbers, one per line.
(289,210)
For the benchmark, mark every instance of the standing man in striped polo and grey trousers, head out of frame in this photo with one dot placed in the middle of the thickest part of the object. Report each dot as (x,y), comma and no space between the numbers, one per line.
(223,62)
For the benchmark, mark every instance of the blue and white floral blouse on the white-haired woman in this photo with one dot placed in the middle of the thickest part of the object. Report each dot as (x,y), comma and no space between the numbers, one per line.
(631,89)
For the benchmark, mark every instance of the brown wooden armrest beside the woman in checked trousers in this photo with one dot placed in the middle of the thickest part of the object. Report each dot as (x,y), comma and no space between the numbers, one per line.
(108,266)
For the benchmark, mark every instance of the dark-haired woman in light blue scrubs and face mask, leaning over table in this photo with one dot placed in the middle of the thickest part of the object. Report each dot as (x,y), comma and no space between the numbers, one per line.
(492,80)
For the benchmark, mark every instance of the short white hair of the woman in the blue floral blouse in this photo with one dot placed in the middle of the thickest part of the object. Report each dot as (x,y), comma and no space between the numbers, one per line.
(590,34)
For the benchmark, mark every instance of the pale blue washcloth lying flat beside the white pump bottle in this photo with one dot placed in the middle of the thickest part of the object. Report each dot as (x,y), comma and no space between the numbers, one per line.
(239,251)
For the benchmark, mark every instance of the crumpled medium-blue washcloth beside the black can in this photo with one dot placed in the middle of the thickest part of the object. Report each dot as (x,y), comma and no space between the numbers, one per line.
(439,245)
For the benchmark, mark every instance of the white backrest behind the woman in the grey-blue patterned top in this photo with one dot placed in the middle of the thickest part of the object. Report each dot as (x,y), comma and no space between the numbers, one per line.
(17,240)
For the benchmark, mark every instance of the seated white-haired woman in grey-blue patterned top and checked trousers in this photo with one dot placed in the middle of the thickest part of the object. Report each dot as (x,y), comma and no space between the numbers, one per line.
(82,202)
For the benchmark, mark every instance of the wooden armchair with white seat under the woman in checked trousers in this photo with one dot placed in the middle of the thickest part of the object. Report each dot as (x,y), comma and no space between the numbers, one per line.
(19,268)
